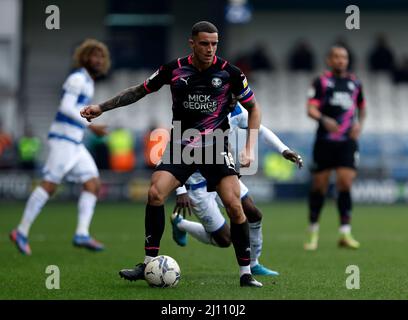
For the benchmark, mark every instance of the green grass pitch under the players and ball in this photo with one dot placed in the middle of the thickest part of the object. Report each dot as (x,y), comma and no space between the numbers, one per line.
(207,272)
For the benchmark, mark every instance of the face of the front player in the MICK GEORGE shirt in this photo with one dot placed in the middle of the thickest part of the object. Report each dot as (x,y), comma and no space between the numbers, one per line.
(204,46)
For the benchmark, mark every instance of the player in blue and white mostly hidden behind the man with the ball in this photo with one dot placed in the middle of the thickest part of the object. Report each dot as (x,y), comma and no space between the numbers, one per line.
(213,228)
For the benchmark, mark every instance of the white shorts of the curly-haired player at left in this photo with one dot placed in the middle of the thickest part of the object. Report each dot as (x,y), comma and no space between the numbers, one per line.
(70,161)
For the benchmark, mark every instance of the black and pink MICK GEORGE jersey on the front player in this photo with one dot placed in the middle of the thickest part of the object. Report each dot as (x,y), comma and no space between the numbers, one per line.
(201,99)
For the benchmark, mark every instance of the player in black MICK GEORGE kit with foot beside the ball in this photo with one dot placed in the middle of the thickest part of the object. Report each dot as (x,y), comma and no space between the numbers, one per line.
(203,86)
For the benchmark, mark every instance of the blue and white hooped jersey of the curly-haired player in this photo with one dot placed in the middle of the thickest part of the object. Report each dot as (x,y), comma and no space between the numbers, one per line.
(77,92)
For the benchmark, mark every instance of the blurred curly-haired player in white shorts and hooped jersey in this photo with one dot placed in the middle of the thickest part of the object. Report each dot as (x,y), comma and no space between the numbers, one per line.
(67,156)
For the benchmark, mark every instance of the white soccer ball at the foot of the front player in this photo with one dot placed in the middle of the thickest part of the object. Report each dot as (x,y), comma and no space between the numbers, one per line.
(162,271)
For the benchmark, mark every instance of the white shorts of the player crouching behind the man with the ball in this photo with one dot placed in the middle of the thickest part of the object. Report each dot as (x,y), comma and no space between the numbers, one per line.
(206,207)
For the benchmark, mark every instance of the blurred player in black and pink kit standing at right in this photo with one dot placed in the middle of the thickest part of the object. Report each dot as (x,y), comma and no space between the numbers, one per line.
(337,103)
